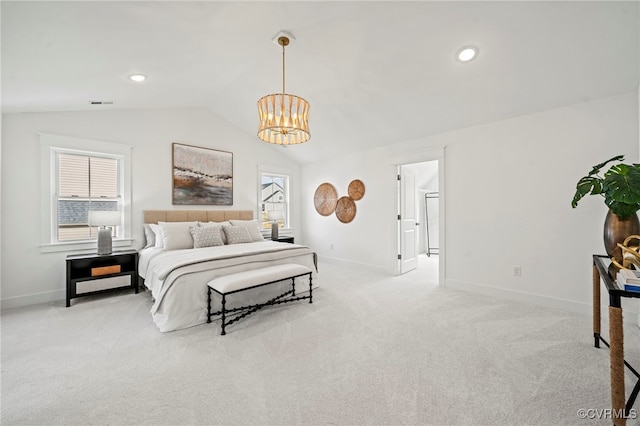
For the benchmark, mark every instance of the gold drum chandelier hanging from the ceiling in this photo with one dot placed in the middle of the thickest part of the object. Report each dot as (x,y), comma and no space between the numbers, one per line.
(284,118)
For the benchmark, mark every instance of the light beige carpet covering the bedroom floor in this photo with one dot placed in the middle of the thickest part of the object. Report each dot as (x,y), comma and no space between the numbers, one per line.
(371,349)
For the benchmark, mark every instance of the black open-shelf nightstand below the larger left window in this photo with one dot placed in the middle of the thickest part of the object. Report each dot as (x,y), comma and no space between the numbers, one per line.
(89,274)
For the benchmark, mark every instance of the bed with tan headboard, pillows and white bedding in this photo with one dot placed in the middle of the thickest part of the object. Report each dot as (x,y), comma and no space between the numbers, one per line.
(177,268)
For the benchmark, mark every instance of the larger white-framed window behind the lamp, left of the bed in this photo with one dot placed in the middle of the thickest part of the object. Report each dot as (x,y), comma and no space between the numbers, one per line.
(80,176)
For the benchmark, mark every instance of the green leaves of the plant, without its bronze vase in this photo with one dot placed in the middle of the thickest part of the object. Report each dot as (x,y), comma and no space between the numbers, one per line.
(620,187)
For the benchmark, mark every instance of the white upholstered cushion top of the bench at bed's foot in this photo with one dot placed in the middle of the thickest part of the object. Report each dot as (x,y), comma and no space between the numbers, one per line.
(245,279)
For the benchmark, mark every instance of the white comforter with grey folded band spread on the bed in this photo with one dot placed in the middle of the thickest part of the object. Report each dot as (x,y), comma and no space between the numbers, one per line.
(178,278)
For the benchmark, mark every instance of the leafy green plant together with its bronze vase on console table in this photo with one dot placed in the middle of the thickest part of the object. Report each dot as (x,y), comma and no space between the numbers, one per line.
(620,187)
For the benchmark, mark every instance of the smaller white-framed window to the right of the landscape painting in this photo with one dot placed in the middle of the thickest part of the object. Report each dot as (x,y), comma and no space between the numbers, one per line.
(274,200)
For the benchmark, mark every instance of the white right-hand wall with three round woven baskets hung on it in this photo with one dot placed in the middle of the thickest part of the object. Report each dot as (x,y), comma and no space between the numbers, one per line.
(508,190)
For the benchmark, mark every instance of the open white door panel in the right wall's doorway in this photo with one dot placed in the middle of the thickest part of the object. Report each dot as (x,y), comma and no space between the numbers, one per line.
(408,244)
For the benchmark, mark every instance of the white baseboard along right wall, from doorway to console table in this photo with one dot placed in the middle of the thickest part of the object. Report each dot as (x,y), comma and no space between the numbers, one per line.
(631,312)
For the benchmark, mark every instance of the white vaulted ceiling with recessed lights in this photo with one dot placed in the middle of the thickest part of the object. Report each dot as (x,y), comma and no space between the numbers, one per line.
(375,73)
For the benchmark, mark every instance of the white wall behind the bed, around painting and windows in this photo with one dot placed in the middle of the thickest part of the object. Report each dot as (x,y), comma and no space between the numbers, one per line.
(29,276)
